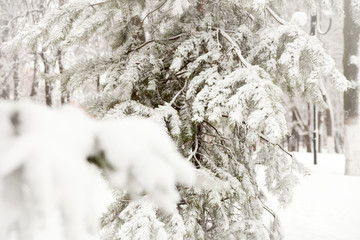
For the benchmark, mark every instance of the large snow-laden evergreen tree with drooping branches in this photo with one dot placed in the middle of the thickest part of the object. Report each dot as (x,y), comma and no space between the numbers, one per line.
(214,73)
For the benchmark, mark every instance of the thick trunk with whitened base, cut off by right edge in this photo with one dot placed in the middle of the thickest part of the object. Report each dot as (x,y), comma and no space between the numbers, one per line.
(351,97)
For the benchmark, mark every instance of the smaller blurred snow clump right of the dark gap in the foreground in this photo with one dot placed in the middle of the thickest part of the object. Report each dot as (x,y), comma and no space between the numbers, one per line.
(145,158)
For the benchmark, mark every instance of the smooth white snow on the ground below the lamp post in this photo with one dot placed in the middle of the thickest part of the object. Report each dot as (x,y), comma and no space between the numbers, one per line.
(326,204)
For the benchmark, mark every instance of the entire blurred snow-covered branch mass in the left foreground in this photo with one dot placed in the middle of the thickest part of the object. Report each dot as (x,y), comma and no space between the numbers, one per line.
(47,188)
